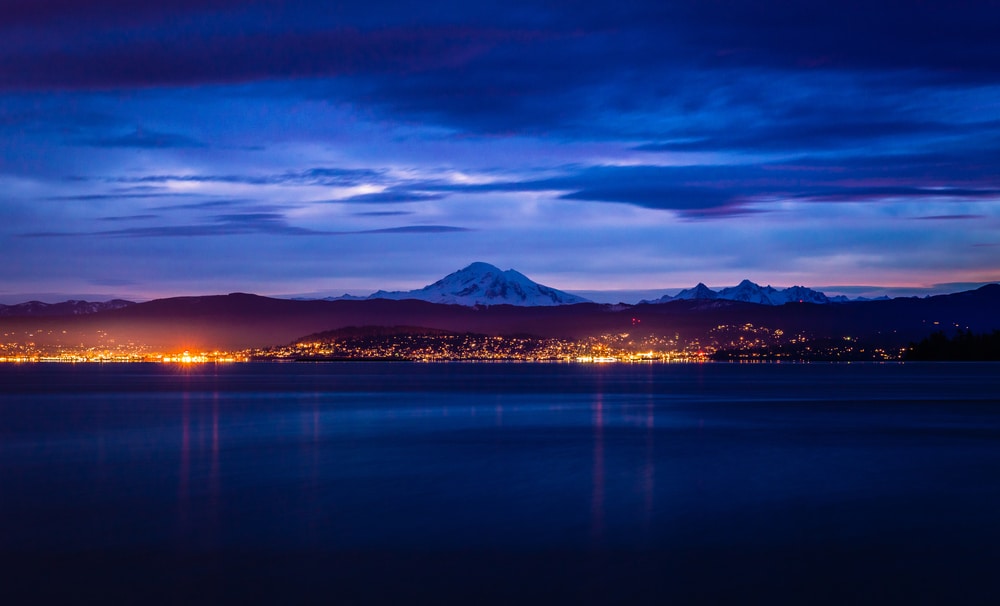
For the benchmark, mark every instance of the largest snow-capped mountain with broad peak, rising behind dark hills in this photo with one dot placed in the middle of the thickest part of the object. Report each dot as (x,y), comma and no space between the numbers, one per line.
(484,284)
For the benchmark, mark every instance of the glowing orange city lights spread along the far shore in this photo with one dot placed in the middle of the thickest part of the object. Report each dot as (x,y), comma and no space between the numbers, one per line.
(736,342)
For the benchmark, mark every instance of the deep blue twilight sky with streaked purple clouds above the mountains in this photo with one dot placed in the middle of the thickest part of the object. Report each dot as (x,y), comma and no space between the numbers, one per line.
(307,146)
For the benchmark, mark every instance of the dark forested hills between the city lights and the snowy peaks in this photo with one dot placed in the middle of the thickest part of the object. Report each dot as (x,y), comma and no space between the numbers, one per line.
(236,321)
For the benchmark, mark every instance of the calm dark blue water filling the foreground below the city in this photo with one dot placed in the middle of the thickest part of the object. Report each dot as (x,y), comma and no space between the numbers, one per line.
(511,483)
